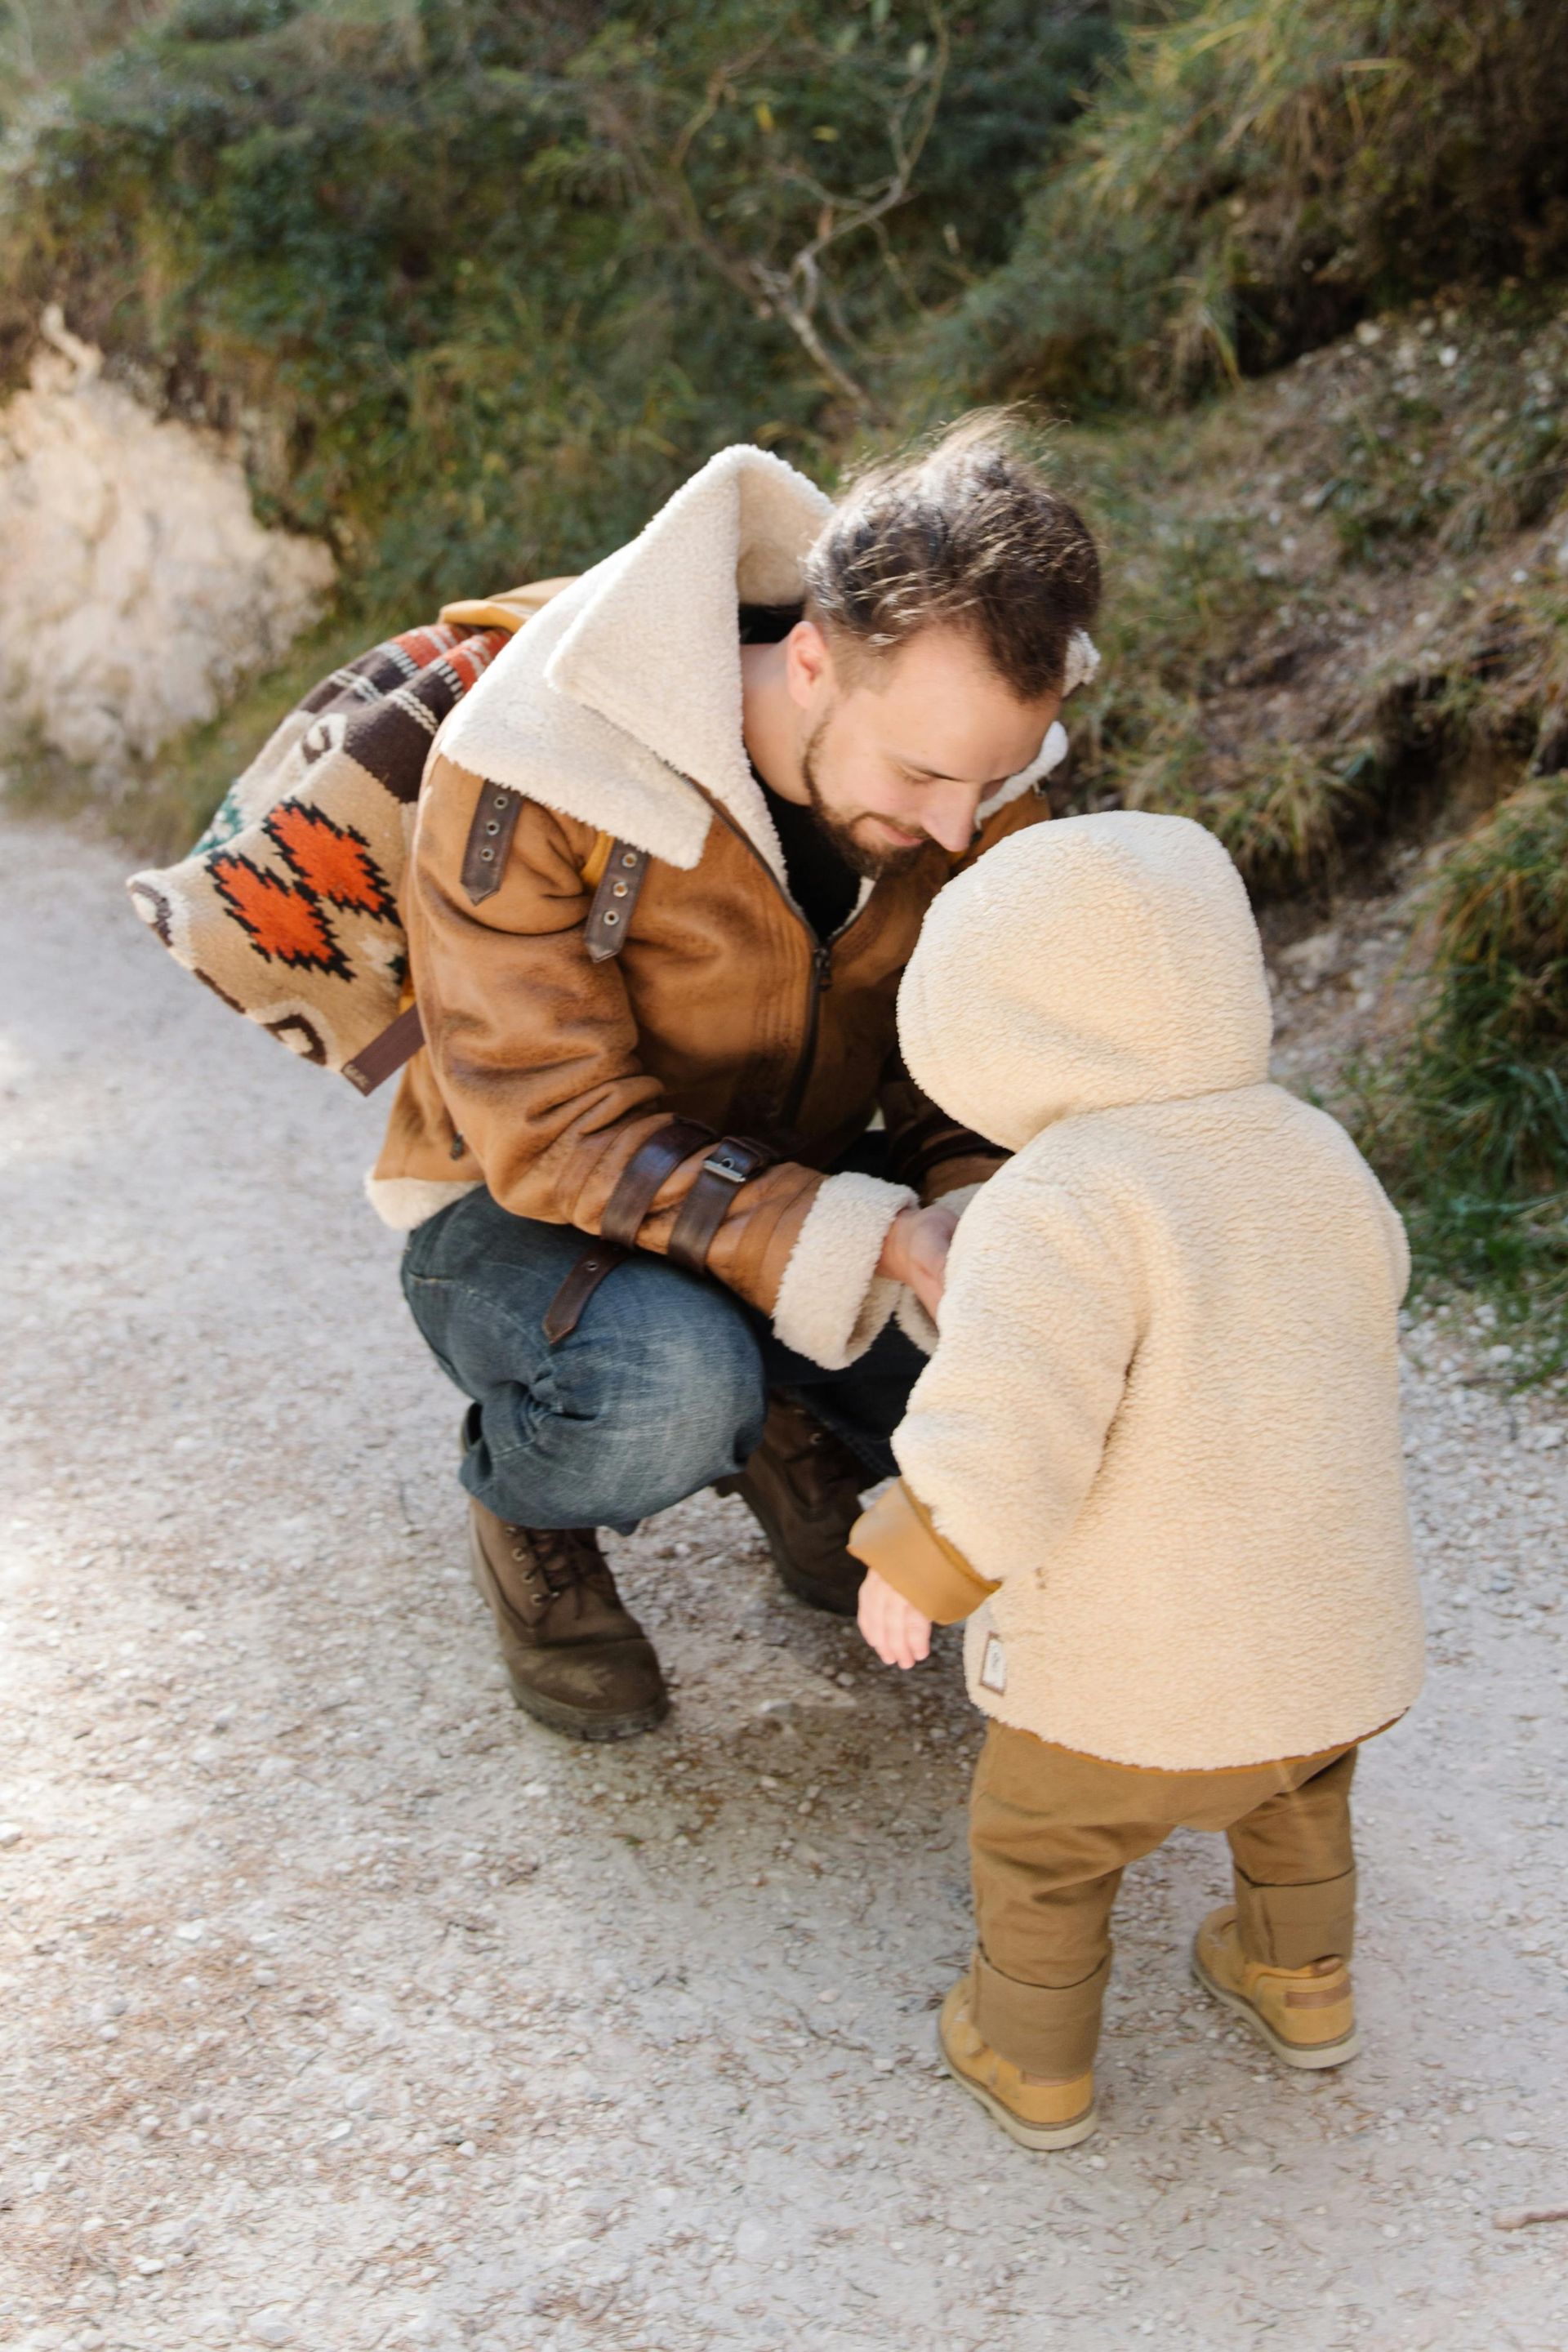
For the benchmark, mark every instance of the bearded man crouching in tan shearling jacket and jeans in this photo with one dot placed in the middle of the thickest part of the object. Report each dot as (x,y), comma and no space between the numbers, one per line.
(674,855)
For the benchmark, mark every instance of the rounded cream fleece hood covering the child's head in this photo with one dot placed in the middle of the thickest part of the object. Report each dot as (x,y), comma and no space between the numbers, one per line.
(1087,965)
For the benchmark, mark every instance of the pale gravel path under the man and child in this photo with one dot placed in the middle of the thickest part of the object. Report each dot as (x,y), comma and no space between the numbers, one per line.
(349,2010)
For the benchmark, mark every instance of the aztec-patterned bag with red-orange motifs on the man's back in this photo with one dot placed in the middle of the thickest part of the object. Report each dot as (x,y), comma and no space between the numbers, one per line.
(288,904)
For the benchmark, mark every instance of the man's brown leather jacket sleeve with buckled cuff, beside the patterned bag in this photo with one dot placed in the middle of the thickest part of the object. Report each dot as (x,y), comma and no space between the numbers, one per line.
(535,1050)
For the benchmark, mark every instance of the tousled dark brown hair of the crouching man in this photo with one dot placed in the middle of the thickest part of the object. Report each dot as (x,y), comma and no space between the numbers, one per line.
(965,533)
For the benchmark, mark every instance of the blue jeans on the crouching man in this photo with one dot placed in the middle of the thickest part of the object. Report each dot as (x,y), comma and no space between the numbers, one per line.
(657,1394)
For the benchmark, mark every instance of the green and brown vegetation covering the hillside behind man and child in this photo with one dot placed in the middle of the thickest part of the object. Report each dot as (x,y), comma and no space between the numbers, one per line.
(478,283)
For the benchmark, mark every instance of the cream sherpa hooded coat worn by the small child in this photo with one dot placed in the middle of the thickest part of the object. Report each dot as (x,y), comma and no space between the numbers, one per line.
(1158,1443)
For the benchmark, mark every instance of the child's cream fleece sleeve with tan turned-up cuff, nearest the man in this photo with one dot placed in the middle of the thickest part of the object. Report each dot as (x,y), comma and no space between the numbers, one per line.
(1007,1424)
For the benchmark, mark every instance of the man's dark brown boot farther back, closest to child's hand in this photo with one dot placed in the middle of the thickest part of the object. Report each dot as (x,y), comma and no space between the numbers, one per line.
(803,1485)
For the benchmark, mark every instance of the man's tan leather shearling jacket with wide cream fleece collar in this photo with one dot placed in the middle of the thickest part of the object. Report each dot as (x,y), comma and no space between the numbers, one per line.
(554,1074)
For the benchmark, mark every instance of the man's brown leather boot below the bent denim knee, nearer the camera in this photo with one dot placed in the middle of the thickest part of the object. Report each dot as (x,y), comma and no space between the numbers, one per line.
(577,1659)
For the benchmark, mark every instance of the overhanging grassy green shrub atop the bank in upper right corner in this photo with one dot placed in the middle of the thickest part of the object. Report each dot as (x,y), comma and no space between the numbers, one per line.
(1259,178)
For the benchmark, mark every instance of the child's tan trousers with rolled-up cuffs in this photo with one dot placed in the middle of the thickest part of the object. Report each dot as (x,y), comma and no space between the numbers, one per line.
(1050,1836)
